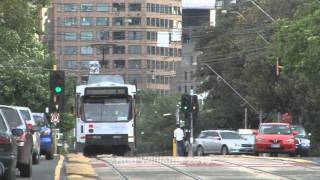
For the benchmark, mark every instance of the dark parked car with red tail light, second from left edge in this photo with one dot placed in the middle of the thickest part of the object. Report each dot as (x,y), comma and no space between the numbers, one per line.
(24,141)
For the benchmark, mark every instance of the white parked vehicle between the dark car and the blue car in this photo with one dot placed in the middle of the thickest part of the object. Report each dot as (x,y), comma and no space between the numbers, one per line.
(26,115)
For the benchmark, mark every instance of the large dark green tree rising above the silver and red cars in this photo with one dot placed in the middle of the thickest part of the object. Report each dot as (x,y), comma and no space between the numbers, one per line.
(235,49)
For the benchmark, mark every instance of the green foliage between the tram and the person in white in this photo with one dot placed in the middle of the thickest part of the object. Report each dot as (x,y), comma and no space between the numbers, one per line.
(154,131)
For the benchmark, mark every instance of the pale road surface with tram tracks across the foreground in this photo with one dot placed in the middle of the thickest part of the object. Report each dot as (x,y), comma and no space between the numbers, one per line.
(209,167)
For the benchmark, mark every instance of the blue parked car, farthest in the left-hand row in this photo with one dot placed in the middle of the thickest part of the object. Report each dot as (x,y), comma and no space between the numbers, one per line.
(45,135)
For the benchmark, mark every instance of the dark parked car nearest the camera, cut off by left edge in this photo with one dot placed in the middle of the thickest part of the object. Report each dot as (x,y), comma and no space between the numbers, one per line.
(8,149)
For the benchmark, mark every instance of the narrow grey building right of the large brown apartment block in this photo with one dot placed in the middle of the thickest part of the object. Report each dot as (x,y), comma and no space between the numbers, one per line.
(194,14)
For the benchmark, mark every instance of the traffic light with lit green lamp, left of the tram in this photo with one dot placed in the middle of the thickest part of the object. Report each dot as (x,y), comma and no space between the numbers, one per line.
(57,89)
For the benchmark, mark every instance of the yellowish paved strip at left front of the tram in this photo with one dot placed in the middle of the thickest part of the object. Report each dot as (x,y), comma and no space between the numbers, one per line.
(78,167)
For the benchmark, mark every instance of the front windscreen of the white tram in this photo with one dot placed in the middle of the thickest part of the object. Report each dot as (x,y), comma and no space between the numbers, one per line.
(109,110)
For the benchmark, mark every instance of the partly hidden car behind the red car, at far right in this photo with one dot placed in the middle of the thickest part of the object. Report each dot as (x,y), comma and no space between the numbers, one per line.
(302,140)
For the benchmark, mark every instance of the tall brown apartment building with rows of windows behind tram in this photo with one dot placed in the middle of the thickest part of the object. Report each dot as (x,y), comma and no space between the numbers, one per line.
(138,39)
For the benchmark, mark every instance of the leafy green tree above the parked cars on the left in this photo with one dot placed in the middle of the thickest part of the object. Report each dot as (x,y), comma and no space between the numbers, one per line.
(23,59)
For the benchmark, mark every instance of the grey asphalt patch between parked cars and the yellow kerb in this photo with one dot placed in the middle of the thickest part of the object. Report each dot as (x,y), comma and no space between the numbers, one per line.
(42,171)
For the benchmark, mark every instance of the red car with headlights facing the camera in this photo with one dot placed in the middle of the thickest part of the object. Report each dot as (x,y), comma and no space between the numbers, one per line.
(275,138)
